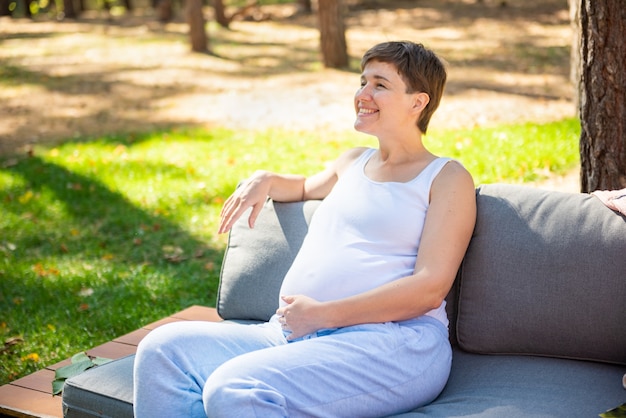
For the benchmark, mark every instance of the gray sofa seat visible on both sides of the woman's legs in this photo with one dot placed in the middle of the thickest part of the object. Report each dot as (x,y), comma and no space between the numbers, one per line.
(479,386)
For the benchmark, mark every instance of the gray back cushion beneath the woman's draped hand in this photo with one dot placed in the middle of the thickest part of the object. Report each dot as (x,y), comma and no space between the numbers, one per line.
(256,260)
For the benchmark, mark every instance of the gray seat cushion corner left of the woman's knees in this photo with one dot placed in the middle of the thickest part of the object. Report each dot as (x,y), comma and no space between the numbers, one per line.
(103,391)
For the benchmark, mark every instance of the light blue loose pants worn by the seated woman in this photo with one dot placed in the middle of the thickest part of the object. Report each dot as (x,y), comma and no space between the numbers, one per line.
(198,369)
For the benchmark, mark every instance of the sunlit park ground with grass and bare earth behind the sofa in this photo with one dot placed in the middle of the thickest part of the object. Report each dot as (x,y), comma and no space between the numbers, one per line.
(118,144)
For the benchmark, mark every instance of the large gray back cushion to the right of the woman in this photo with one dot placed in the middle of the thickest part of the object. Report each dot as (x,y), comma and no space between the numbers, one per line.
(545,274)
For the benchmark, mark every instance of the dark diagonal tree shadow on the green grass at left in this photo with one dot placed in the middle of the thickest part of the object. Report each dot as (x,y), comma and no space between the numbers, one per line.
(81,264)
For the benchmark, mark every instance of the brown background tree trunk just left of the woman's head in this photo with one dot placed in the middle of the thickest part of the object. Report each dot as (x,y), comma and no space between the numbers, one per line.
(332,34)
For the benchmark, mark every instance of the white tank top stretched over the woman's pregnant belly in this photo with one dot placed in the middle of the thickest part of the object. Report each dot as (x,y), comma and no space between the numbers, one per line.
(364,234)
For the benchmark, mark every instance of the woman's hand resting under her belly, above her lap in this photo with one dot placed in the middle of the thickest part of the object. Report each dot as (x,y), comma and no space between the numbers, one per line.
(301,315)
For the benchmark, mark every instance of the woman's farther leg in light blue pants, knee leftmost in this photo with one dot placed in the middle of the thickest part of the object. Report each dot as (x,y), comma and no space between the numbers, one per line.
(174,361)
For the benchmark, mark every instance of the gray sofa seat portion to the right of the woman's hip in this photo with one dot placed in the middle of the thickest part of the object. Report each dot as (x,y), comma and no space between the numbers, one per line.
(492,386)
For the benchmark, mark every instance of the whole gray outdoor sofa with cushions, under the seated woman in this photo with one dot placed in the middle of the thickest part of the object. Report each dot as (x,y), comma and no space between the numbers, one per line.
(537,313)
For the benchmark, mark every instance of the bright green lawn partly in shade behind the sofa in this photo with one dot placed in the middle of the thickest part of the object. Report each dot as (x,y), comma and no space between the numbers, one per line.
(100,237)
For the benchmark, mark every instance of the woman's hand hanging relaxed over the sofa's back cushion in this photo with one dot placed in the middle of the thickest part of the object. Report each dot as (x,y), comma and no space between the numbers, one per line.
(253,193)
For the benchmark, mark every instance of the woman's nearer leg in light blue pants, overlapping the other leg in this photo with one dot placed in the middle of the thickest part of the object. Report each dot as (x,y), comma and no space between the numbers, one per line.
(361,371)
